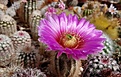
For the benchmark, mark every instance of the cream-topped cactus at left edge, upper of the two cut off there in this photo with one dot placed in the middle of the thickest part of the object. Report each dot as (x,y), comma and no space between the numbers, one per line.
(7,25)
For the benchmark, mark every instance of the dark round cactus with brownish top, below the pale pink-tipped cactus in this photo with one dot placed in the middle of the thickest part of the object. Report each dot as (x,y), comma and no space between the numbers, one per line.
(27,57)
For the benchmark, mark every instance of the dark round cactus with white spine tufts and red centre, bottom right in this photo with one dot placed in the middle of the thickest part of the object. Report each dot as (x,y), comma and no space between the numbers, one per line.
(99,63)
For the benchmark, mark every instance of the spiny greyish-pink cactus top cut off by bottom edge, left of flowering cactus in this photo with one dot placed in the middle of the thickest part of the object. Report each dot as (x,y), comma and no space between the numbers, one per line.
(28,73)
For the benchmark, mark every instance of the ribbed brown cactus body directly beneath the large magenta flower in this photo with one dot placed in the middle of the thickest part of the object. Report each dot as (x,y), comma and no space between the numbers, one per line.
(64,67)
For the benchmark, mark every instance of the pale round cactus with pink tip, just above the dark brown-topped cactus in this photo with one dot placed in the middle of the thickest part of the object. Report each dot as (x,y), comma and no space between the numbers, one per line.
(21,39)
